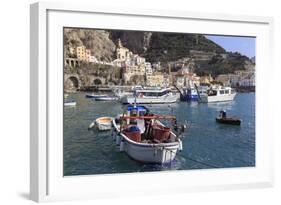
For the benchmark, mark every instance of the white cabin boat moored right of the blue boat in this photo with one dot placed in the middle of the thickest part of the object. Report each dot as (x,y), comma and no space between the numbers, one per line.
(218,94)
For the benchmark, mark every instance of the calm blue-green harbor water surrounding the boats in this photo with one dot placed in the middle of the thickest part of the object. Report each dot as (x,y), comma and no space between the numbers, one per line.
(207,144)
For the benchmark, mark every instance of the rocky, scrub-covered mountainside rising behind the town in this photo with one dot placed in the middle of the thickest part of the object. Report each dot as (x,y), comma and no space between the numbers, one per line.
(157,47)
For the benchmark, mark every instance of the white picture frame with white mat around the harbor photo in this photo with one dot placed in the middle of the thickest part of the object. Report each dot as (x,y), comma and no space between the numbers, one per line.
(46,179)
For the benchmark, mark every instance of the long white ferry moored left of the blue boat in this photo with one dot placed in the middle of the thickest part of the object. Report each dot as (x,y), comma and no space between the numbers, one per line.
(150,96)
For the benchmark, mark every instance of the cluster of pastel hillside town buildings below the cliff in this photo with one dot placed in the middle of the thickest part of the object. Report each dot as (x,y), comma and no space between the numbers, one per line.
(135,66)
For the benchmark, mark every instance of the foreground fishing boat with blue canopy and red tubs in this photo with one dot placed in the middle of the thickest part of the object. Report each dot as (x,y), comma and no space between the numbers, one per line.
(144,138)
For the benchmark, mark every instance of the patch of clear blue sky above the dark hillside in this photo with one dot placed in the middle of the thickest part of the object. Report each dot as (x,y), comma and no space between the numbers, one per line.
(243,45)
